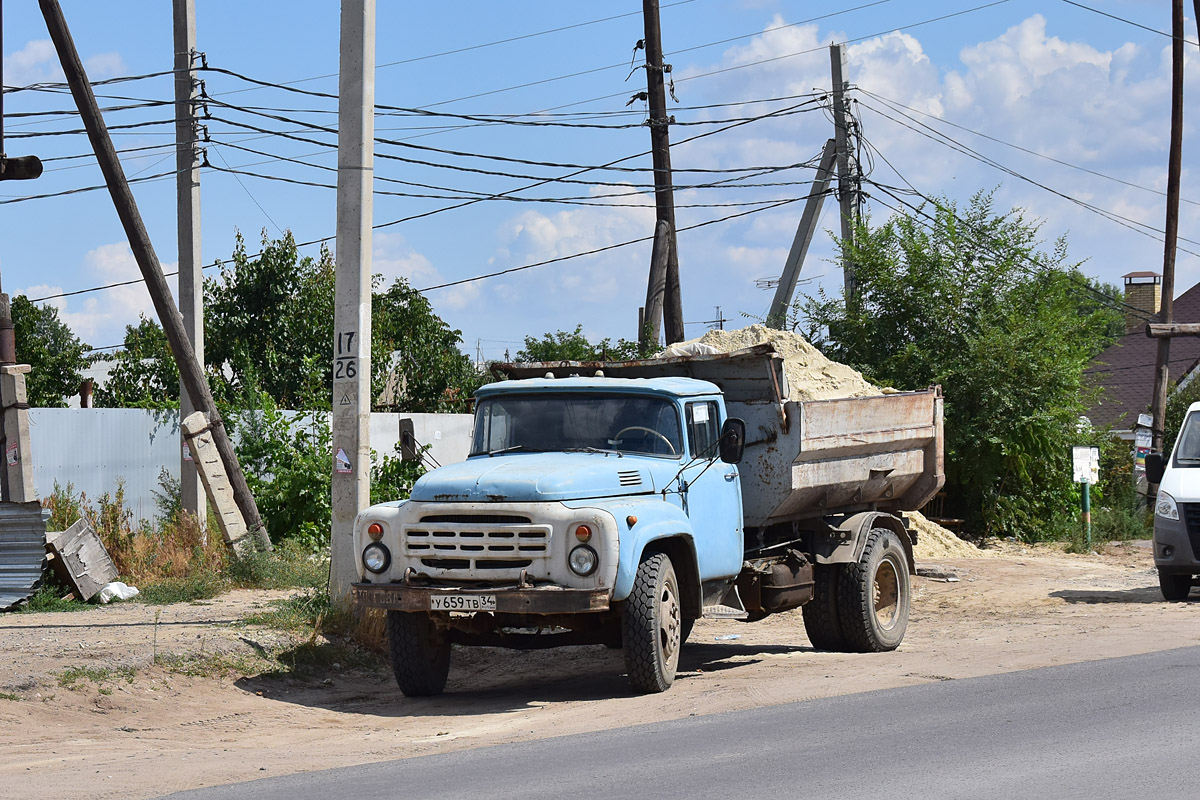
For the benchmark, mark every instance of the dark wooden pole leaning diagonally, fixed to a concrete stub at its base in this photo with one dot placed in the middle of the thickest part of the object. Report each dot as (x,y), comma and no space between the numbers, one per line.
(190,370)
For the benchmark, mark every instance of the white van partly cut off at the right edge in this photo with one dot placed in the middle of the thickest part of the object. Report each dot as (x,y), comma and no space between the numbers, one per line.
(1178,510)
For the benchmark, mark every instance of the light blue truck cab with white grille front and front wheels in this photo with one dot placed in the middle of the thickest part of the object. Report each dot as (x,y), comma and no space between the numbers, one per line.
(571,485)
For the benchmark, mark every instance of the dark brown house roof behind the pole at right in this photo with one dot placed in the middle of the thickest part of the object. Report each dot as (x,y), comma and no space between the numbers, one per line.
(1125,372)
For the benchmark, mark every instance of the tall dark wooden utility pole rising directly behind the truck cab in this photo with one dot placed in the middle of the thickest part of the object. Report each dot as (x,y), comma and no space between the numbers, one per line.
(664,193)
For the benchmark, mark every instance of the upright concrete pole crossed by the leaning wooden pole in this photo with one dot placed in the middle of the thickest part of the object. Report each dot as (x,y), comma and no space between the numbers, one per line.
(188,204)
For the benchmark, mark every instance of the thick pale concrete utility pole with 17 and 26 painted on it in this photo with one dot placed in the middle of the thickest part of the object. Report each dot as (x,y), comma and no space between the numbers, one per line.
(352,311)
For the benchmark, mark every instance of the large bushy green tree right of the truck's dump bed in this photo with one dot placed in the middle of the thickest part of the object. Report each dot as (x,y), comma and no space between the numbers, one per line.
(970,300)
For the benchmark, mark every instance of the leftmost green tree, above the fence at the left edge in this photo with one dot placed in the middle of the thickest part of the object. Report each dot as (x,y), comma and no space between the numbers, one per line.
(56,354)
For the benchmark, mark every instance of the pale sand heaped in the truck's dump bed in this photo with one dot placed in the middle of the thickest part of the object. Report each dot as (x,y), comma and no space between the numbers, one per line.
(811,376)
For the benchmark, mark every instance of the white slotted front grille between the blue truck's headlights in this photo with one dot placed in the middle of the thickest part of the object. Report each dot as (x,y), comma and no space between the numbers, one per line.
(481,543)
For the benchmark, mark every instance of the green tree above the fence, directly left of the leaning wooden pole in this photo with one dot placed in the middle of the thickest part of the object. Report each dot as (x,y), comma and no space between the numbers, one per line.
(143,374)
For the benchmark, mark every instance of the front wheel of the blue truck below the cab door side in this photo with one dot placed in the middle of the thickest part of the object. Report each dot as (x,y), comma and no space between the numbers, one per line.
(652,624)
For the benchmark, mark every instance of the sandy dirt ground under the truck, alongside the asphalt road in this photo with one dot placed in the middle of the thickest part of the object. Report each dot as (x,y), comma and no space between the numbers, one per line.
(145,731)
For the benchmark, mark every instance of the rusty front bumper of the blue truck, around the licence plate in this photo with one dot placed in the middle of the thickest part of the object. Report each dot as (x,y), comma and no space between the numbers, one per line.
(545,600)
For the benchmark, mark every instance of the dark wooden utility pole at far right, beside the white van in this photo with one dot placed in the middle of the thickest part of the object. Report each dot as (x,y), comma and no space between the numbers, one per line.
(1175,158)
